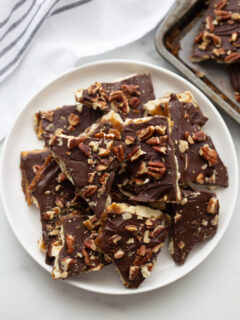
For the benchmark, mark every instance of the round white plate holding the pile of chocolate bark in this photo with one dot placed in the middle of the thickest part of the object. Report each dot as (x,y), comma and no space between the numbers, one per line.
(25,221)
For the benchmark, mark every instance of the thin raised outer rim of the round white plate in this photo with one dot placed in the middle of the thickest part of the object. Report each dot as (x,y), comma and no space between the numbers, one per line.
(158,69)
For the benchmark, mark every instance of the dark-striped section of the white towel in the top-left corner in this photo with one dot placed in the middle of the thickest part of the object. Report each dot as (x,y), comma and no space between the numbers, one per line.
(22,20)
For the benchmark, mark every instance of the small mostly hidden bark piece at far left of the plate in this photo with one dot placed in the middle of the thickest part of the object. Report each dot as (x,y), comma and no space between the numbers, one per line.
(30,163)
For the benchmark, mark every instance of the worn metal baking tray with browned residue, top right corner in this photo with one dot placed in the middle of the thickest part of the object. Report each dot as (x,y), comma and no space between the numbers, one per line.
(174,40)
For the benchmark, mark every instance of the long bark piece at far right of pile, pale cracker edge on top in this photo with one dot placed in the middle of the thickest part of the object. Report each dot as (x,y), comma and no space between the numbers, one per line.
(198,160)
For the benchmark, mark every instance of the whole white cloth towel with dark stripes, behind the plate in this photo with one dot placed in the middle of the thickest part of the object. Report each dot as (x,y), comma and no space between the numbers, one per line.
(39,39)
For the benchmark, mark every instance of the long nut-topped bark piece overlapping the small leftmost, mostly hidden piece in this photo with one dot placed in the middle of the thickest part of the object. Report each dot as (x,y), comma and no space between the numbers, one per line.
(56,196)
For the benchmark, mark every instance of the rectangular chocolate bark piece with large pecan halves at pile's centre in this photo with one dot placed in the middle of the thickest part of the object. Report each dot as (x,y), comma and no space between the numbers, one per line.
(152,168)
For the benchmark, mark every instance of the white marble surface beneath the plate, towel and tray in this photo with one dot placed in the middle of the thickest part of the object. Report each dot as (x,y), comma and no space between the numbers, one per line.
(212,291)
